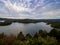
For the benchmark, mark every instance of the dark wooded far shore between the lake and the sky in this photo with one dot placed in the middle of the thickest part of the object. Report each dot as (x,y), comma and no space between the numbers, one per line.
(55,23)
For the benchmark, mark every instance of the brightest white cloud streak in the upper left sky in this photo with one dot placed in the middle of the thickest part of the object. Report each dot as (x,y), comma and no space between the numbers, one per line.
(17,7)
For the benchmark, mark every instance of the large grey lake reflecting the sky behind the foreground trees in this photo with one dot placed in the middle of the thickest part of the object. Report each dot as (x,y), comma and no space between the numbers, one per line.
(32,28)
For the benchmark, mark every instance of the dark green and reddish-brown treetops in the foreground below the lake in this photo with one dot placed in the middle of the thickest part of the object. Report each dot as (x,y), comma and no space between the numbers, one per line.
(39,38)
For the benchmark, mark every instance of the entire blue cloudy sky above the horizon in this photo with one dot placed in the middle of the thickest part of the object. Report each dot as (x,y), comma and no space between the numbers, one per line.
(31,9)
